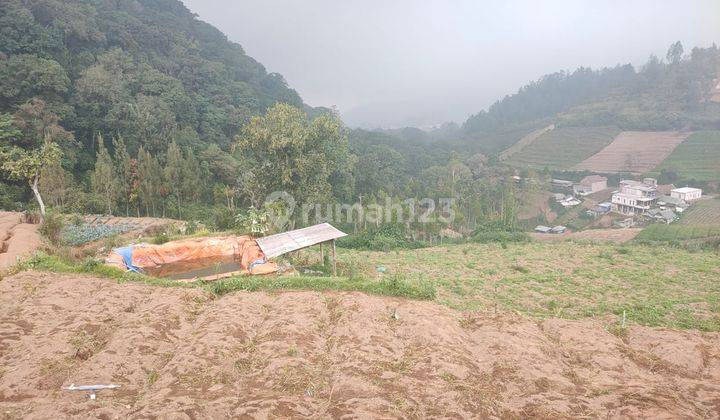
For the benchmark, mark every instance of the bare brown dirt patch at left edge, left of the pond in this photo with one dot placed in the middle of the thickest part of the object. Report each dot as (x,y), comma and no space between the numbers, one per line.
(17,239)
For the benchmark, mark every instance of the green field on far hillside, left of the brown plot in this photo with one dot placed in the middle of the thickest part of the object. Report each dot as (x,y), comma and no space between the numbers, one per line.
(564,147)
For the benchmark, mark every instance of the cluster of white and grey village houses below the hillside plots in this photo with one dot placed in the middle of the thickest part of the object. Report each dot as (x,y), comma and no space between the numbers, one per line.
(640,201)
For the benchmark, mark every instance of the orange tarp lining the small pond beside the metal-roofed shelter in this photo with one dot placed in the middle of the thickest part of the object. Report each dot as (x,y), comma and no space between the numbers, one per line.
(243,249)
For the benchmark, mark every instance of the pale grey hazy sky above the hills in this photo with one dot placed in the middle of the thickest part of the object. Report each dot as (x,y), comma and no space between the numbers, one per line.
(423,62)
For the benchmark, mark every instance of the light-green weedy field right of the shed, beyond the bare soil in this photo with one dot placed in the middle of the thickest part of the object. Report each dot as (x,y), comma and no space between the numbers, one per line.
(655,285)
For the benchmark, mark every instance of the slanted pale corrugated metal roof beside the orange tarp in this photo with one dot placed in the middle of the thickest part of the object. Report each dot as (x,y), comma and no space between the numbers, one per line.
(282,243)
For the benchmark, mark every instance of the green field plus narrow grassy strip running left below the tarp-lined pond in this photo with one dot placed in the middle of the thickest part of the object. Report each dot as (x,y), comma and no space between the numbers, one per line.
(654,285)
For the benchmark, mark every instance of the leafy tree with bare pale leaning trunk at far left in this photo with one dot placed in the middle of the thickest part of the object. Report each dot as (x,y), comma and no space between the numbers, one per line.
(32,145)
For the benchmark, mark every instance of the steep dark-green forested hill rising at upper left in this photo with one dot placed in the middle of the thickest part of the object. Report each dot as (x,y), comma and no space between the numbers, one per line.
(145,70)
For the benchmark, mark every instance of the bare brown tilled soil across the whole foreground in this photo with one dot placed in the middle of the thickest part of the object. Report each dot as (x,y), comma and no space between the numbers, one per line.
(180,353)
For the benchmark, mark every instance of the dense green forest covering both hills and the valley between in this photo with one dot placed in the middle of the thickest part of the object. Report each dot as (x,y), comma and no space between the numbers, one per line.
(136,107)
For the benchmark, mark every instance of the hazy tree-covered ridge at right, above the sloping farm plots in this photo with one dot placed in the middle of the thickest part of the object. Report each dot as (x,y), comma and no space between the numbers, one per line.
(668,94)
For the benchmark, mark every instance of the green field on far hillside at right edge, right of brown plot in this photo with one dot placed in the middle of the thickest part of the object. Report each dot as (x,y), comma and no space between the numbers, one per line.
(698,157)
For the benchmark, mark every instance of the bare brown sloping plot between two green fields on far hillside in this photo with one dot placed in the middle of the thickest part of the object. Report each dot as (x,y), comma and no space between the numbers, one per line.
(634,151)
